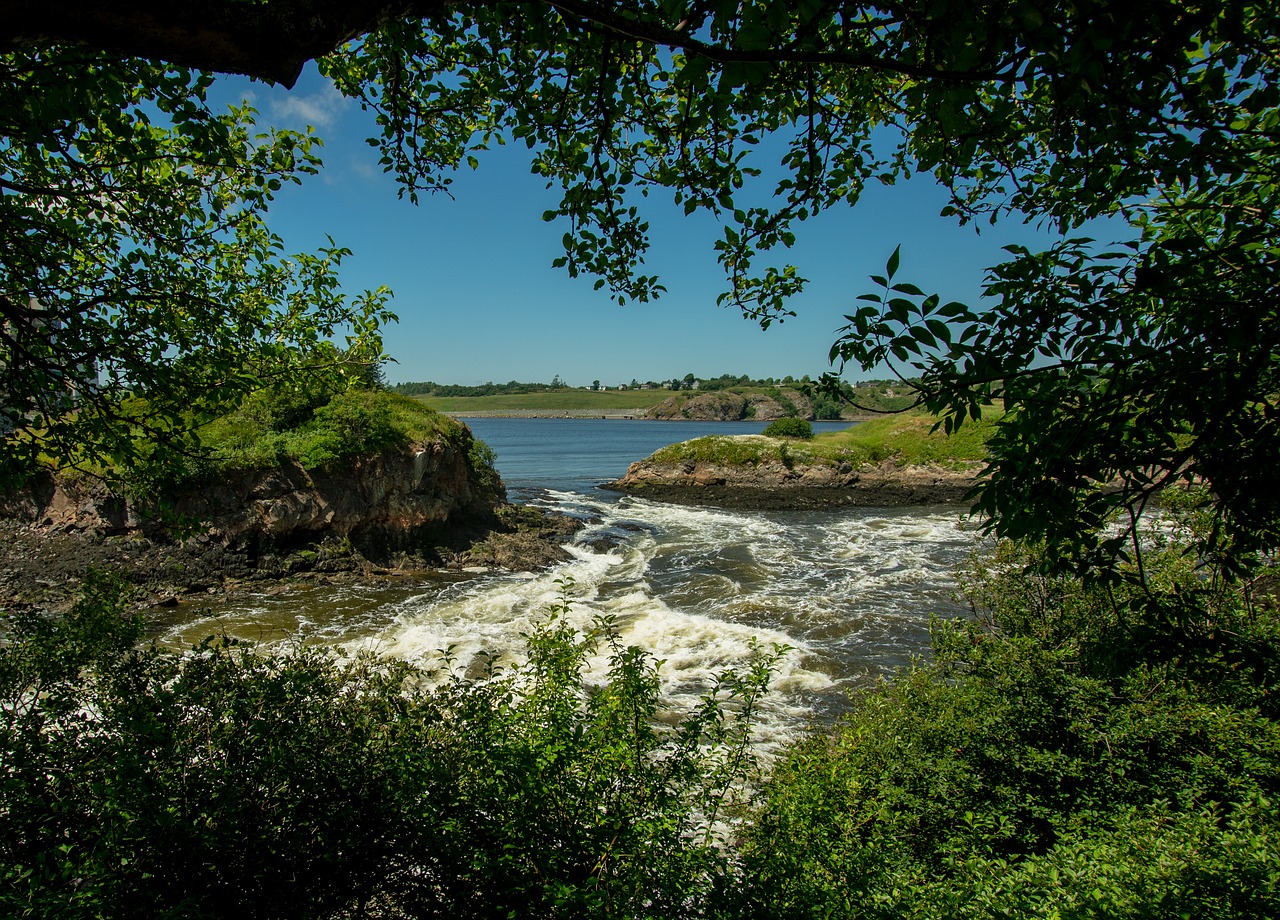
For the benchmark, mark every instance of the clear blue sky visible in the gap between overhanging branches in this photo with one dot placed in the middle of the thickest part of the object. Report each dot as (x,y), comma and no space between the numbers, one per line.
(478,299)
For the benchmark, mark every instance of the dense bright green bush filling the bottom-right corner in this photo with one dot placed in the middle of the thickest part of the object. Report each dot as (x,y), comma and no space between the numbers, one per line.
(1075,753)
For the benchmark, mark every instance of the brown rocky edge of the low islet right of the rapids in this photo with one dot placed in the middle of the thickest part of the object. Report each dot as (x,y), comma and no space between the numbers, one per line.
(775,486)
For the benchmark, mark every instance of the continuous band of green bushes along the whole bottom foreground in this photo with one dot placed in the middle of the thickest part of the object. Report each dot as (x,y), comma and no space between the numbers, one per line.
(1071,750)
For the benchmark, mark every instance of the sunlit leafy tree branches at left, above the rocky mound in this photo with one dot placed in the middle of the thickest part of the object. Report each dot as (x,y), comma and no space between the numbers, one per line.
(143,292)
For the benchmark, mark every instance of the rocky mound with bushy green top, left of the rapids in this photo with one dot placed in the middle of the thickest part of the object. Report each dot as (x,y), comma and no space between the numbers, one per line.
(330,486)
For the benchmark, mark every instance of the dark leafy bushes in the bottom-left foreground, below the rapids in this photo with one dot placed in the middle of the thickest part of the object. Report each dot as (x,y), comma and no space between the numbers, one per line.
(298,784)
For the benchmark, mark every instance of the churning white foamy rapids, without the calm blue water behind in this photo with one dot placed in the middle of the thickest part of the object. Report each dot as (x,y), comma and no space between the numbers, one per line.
(703,591)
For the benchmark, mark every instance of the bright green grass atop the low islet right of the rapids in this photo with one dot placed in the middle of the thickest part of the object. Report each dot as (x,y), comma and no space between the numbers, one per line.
(907,440)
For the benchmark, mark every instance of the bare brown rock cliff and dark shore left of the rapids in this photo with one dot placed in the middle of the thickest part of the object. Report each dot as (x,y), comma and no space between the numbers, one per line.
(392,515)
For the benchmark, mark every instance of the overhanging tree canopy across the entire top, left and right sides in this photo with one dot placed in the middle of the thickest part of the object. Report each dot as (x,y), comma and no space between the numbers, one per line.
(1123,367)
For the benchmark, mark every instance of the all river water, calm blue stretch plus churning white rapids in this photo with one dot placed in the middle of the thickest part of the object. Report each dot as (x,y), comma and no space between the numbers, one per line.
(848,593)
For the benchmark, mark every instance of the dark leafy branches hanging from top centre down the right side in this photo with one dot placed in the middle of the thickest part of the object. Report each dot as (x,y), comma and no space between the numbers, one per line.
(1123,367)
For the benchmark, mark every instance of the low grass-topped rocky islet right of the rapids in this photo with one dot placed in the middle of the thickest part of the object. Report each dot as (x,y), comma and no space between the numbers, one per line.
(893,461)
